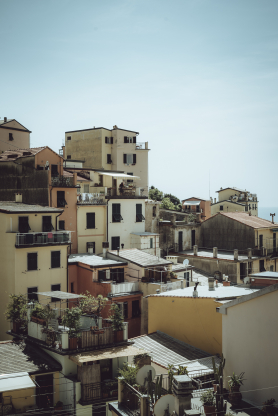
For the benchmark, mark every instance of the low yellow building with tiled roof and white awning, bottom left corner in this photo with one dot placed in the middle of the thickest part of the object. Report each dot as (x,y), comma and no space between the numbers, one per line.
(29,379)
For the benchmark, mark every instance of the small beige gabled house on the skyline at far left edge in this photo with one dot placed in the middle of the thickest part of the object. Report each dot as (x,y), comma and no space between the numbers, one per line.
(13,135)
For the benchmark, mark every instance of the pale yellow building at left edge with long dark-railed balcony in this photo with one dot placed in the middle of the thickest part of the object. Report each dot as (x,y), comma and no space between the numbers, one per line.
(33,255)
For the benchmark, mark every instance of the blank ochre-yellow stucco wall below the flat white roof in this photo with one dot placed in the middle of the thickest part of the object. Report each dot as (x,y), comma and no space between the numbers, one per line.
(191,320)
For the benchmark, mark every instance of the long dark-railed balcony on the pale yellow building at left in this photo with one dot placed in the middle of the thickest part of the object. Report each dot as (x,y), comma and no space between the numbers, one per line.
(39,239)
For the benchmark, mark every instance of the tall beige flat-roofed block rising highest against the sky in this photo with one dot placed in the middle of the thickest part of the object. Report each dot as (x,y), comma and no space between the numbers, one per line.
(116,150)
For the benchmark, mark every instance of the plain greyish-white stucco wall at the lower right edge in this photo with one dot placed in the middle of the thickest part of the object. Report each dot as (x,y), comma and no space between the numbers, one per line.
(250,336)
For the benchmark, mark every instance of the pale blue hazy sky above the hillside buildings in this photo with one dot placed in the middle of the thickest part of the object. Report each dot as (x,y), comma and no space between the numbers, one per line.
(196,78)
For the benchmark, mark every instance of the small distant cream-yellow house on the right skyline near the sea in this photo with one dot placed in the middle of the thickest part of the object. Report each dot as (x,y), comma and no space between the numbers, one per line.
(234,199)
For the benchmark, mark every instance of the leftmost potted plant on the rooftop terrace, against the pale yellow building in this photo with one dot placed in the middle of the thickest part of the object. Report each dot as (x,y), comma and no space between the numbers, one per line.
(17,311)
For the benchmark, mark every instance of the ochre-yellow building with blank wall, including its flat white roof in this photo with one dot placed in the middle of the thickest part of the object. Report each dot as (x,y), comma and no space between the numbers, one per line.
(190,319)
